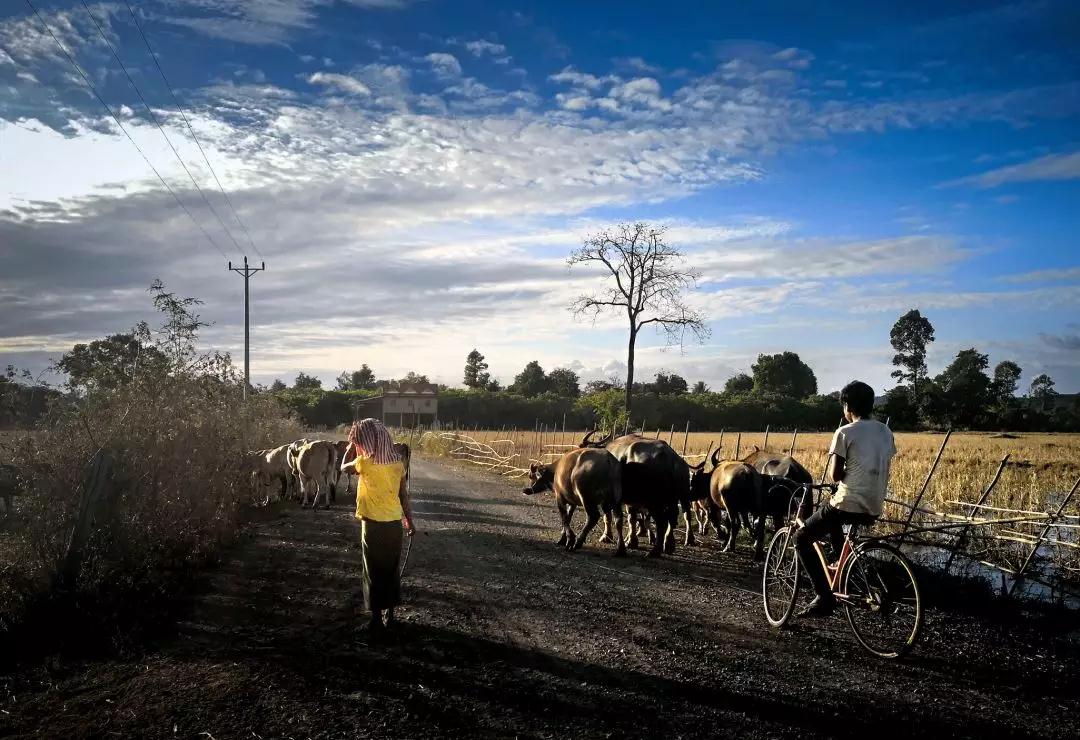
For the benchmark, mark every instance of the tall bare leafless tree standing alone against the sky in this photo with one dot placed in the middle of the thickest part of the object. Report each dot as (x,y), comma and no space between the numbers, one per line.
(647,281)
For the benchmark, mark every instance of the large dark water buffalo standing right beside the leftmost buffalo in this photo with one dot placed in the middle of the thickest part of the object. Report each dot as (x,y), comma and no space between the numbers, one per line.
(659,481)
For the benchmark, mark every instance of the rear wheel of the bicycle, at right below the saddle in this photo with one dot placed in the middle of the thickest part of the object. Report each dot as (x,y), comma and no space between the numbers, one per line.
(883,601)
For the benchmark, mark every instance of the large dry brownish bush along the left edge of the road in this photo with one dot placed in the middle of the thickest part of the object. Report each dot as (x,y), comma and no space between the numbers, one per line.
(174,437)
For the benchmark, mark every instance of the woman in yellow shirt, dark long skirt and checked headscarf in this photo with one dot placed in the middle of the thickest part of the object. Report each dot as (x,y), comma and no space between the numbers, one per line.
(384,510)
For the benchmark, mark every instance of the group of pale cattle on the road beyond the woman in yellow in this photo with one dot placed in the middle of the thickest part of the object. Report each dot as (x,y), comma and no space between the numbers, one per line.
(305,469)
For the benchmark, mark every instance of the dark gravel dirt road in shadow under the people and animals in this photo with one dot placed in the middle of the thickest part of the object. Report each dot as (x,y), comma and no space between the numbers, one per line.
(503,635)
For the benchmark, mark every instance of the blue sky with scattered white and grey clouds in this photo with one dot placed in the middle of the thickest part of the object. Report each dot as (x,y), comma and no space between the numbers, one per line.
(415,173)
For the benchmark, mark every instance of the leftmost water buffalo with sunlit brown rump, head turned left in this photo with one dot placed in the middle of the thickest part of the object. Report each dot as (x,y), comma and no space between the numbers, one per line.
(583,478)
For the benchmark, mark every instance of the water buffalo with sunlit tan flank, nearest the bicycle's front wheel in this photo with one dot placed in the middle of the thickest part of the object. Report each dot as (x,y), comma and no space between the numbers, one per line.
(735,489)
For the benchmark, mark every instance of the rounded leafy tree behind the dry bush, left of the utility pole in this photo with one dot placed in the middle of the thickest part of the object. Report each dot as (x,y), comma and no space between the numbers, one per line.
(109,364)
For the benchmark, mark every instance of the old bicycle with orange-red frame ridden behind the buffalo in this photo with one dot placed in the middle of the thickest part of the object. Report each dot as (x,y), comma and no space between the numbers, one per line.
(873,582)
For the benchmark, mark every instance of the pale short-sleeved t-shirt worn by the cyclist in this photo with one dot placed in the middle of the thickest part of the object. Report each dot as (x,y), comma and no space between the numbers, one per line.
(867,448)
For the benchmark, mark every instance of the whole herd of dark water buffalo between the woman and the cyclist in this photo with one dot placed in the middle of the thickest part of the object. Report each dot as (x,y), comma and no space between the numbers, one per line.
(650,480)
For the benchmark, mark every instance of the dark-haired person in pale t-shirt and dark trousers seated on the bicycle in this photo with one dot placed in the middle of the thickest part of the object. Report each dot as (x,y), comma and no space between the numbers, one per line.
(860,458)
